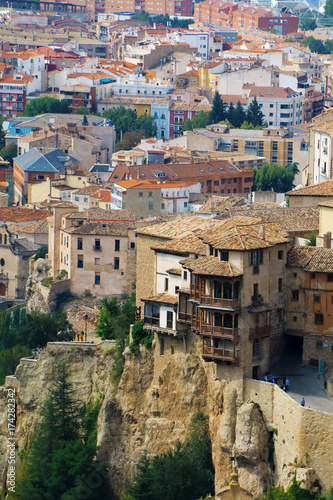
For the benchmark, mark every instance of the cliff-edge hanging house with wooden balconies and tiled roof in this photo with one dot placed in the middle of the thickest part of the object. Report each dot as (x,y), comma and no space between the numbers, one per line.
(218,289)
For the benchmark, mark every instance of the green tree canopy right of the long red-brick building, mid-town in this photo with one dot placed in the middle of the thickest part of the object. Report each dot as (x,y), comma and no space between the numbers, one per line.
(271,177)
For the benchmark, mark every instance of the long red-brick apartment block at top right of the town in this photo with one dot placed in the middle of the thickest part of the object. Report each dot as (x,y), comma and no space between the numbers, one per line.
(240,17)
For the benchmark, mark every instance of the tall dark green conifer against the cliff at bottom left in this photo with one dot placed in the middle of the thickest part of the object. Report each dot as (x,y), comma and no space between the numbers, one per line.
(62,451)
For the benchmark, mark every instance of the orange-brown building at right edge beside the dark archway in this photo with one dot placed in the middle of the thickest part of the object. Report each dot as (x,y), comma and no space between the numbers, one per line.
(309,303)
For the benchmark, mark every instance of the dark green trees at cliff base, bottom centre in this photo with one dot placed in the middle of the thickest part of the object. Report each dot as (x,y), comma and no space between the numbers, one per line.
(186,472)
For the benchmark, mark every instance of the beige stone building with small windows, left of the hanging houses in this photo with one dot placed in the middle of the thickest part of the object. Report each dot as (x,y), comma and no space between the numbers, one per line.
(96,247)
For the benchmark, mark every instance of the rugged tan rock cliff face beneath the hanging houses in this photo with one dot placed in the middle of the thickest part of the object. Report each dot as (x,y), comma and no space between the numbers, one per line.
(147,412)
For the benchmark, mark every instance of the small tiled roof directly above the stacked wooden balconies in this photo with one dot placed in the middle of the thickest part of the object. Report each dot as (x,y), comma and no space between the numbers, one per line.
(211,266)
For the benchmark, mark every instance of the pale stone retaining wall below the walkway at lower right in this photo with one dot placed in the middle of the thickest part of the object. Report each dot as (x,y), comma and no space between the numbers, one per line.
(298,432)
